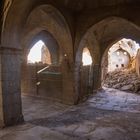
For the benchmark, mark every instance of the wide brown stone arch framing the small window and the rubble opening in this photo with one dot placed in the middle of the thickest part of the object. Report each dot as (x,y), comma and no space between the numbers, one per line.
(105,33)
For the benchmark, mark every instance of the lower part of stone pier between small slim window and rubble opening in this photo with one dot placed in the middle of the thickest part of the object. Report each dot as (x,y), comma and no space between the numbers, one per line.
(96,76)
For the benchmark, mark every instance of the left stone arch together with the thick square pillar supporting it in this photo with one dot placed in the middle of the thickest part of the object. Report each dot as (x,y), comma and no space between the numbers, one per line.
(16,34)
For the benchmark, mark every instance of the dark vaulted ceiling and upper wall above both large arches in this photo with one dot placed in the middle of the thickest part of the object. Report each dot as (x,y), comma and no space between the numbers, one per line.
(21,10)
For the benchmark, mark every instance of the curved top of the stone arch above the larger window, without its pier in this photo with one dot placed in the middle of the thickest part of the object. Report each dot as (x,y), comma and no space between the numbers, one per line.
(51,21)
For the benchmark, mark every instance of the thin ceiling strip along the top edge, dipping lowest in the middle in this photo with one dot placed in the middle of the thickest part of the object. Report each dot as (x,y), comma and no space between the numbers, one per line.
(77,5)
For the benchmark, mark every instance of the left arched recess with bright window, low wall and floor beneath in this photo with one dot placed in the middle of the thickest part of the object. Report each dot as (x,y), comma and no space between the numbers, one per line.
(41,79)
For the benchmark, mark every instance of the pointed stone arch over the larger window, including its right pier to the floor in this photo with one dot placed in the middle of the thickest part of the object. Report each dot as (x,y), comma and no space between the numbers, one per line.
(52,21)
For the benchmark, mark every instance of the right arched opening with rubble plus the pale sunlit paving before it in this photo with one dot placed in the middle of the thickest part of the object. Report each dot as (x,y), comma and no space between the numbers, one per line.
(120,79)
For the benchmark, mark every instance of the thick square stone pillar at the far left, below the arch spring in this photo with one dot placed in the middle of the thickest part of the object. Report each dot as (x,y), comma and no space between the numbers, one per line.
(10,92)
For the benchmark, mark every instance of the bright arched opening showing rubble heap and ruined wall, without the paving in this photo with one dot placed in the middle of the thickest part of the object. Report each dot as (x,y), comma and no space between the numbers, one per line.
(120,69)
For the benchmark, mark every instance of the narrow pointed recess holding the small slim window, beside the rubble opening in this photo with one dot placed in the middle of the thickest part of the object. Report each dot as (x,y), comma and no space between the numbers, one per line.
(92,53)
